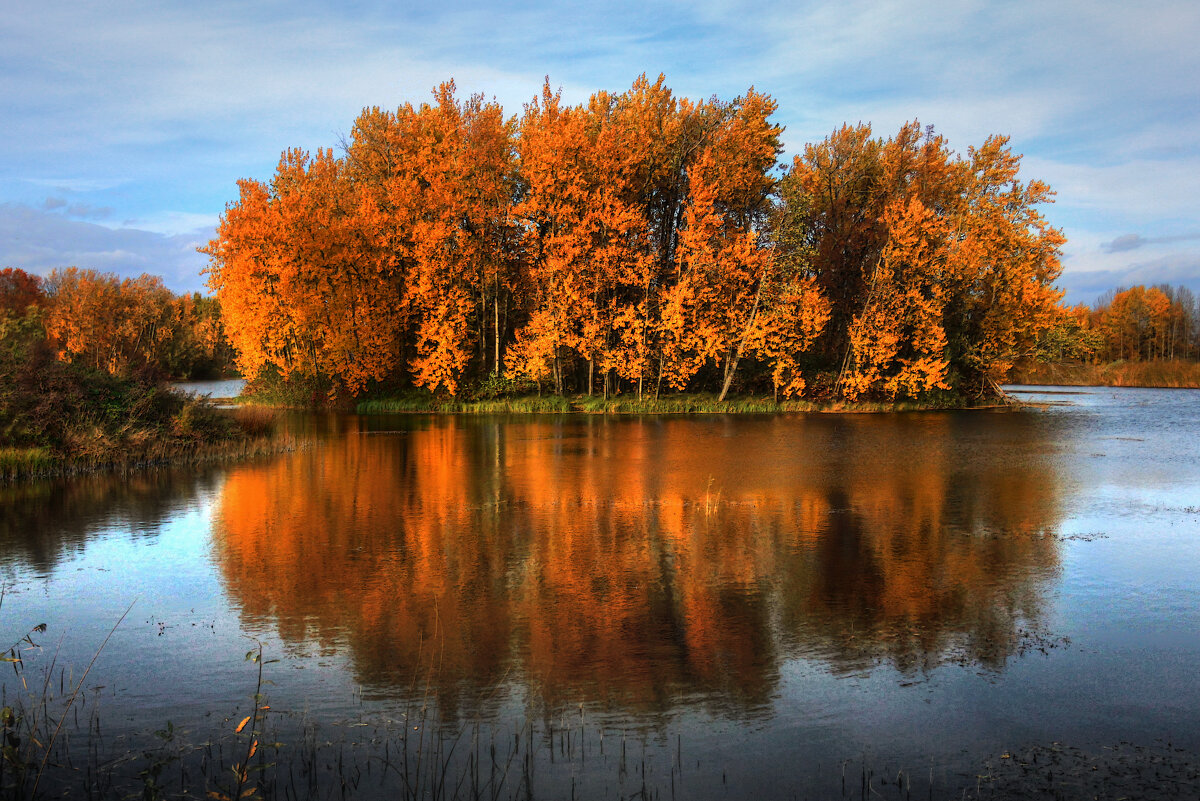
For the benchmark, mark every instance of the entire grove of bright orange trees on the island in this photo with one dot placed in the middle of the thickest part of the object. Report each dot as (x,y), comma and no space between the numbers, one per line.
(637,243)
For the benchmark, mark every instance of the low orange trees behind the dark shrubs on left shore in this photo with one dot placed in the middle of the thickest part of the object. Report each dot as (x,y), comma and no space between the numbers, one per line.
(122,327)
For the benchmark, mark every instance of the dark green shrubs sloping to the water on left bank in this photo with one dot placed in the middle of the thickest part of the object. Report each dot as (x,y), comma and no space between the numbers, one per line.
(63,418)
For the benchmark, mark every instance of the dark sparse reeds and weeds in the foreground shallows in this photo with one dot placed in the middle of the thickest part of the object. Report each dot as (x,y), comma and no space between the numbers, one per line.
(55,743)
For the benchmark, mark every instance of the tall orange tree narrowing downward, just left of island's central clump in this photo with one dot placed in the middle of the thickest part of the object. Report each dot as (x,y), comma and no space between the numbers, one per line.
(442,183)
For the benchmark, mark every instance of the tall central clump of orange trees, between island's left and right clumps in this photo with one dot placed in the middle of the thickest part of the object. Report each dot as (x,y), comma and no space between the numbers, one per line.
(646,215)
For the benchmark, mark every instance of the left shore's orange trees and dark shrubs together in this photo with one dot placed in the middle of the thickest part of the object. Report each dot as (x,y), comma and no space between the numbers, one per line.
(82,362)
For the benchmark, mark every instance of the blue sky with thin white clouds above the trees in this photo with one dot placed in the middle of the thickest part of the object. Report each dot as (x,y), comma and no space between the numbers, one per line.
(127,127)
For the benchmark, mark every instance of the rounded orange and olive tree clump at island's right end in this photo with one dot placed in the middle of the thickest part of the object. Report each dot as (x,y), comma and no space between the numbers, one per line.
(940,269)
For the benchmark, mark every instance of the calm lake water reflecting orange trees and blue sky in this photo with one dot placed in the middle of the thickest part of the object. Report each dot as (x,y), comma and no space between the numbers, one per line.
(747,603)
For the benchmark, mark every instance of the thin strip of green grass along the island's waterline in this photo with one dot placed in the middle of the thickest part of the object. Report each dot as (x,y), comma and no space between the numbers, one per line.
(668,405)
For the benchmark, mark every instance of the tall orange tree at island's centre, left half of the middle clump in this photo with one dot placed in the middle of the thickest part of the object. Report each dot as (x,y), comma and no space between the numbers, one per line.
(590,245)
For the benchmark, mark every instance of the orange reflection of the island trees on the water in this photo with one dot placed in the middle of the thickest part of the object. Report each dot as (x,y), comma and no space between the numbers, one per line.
(641,564)
